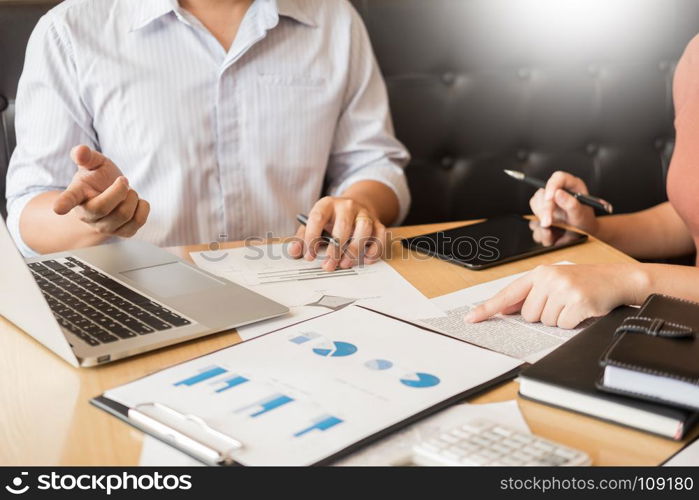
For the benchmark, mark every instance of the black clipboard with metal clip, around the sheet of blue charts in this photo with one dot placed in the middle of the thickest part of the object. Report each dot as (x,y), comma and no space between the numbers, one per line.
(196,437)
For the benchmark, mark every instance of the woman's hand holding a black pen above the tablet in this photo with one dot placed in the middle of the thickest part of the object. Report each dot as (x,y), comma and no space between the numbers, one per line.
(553,204)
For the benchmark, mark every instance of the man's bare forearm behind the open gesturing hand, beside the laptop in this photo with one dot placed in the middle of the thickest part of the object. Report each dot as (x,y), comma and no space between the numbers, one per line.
(45,232)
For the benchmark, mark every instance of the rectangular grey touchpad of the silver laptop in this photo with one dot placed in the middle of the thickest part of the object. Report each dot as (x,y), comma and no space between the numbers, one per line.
(171,280)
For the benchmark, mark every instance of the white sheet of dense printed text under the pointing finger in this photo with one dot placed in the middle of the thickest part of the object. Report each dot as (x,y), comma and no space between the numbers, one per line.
(510,335)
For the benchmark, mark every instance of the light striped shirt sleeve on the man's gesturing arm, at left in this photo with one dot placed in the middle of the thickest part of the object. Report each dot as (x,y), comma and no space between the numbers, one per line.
(50,119)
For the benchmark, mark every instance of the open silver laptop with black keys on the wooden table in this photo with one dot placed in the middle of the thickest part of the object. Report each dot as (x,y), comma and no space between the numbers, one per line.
(95,305)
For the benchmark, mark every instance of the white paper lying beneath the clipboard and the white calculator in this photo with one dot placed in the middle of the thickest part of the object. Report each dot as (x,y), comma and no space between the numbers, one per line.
(395,449)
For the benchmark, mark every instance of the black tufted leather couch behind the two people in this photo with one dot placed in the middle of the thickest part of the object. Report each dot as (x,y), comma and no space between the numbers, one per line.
(477,86)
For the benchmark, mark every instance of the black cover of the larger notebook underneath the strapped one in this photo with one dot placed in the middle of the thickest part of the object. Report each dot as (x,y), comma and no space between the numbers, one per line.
(575,366)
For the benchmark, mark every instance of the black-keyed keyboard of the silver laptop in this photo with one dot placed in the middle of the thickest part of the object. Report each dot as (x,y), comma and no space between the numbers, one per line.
(96,308)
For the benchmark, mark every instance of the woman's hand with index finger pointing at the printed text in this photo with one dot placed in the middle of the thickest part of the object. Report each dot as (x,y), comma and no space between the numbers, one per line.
(565,295)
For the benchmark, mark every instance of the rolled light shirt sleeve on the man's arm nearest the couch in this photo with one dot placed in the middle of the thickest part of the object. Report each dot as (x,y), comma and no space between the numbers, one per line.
(365,147)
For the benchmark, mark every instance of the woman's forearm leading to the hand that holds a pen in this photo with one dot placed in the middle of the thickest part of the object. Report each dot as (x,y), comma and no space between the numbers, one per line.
(657,232)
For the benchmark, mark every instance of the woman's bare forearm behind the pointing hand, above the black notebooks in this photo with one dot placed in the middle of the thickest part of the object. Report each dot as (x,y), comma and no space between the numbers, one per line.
(677,281)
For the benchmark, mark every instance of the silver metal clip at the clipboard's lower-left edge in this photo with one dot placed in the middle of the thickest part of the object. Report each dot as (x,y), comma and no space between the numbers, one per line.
(190,433)
